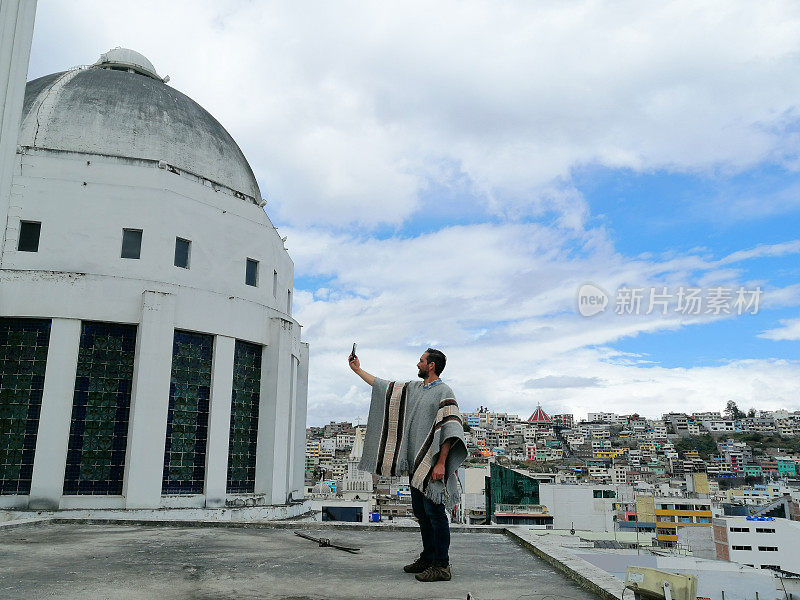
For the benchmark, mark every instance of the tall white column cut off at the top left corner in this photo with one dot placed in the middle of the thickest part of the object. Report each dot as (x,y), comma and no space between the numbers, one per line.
(16,36)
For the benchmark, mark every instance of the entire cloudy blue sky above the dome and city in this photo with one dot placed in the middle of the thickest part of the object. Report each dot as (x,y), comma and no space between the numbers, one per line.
(451,174)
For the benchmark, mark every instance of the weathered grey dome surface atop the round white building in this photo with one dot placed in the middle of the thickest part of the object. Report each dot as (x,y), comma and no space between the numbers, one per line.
(118,113)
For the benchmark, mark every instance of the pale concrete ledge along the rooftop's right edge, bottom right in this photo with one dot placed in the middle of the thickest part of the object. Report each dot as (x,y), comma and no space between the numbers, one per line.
(583,573)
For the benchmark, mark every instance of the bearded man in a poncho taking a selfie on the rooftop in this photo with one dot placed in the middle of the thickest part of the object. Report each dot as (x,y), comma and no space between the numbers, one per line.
(415,429)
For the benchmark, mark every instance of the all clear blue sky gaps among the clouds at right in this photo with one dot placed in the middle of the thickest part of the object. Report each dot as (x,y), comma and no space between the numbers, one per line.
(661,212)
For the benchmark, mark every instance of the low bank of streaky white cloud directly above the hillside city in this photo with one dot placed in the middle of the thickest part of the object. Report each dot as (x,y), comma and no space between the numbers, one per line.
(501,302)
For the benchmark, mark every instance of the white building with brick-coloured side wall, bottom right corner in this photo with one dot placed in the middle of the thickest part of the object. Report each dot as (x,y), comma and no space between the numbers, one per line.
(760,542)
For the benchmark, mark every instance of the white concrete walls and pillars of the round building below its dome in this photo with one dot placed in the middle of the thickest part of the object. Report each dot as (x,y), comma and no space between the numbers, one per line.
(84,201)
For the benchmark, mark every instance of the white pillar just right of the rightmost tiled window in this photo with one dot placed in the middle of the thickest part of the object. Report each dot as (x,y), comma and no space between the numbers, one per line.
(273,413)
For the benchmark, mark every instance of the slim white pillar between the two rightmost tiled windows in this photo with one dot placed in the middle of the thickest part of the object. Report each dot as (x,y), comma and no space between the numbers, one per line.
(219,421)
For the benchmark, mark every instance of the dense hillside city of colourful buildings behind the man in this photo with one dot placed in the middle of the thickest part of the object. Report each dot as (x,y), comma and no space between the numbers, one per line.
(684,483)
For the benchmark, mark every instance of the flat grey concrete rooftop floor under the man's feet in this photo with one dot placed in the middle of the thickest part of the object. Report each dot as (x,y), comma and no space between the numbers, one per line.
(135,562)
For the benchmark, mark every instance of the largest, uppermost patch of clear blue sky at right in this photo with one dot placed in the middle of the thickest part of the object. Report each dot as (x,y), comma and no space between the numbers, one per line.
(660,211)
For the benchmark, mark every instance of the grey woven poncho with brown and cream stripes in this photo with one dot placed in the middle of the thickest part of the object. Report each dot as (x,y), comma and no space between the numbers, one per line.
(406,428)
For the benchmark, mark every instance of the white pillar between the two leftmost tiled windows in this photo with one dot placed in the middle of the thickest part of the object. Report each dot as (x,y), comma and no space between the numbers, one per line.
(52,438)
